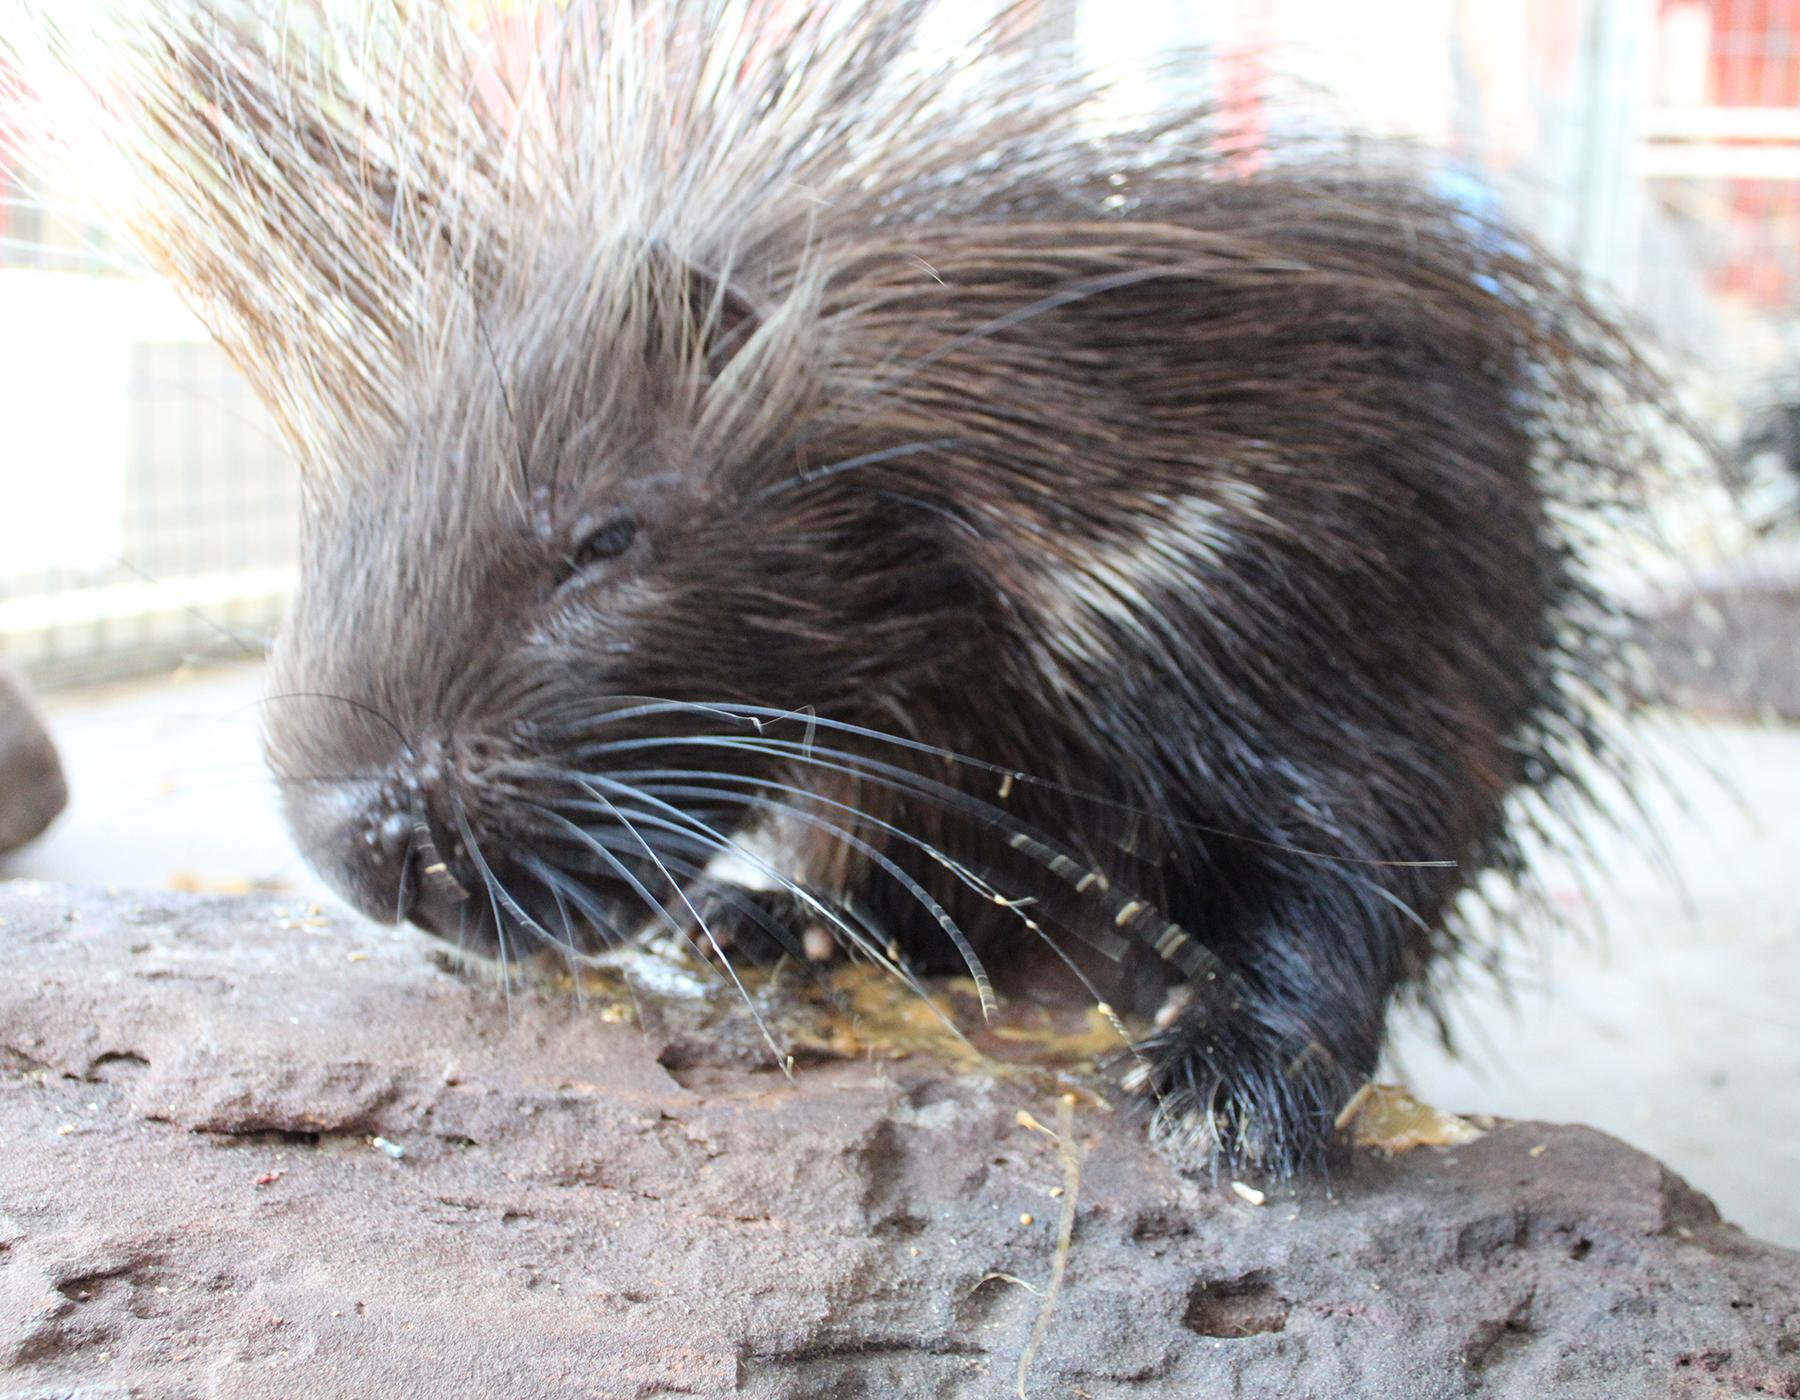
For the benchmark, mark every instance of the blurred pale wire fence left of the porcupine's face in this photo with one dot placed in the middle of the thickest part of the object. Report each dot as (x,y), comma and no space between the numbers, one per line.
(147,508)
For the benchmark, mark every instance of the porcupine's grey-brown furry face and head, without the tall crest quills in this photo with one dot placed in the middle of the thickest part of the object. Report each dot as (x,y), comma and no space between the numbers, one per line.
(534,674)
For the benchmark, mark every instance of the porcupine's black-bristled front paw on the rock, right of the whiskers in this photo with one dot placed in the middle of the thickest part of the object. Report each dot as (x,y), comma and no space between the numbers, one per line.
(1236,1093)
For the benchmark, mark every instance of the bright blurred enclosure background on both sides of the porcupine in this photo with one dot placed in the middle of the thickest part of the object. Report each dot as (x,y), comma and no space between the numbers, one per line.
(148,525)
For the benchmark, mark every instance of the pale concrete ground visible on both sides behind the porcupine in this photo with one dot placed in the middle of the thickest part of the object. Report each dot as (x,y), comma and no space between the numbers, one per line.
(1680,1036)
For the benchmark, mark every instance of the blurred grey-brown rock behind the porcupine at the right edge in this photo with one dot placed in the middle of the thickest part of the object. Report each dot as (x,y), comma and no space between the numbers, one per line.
(1727,642)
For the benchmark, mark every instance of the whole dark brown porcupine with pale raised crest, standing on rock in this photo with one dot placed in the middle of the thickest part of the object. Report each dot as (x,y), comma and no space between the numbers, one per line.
(1011,539)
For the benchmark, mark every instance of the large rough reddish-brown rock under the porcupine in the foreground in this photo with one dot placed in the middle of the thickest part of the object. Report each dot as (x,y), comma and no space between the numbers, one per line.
(192,1205)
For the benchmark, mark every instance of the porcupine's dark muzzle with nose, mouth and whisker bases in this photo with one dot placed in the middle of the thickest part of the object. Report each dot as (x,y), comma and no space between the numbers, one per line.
(546,841)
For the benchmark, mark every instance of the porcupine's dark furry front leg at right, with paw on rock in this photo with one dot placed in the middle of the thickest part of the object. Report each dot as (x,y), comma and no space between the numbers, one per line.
(1324,888)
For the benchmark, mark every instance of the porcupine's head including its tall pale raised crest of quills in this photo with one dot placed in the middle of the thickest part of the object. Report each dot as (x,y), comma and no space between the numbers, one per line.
(564,323)
